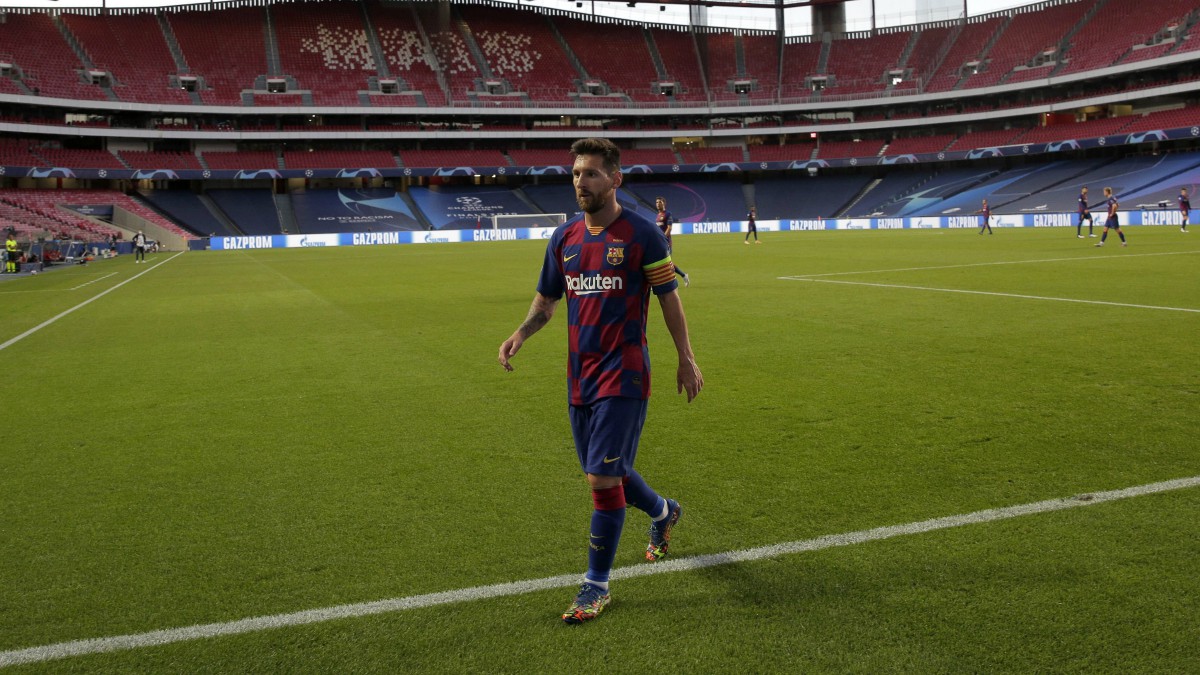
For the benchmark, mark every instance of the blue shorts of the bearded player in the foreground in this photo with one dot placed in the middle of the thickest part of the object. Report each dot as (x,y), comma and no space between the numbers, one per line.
(607,434)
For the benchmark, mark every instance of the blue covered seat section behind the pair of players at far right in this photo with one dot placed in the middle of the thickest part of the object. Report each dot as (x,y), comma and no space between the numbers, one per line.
(1121,176)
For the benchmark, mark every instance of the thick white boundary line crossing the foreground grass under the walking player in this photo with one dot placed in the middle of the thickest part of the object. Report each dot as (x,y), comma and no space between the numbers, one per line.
(166,637)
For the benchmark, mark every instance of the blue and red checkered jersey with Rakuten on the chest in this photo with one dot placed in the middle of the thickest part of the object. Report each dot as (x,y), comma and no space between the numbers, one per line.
(608,278)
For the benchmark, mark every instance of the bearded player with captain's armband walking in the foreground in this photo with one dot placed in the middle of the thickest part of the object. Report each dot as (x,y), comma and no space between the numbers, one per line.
(607,262)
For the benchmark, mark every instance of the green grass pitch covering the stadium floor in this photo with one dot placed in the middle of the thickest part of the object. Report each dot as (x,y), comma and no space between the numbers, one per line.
(237,435)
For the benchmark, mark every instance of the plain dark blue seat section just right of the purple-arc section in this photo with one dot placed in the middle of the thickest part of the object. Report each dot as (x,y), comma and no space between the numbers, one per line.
(805,198)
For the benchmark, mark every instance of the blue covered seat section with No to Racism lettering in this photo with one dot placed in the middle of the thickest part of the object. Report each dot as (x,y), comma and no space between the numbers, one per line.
(371,210)
